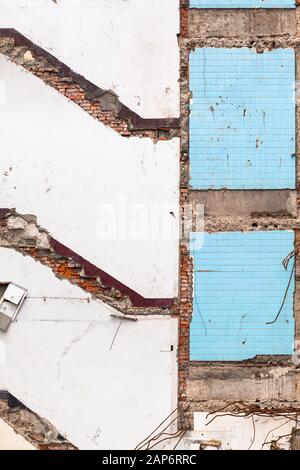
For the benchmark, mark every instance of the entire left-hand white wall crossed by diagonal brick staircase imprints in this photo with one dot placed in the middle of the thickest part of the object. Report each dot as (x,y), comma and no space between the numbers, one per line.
(89,219)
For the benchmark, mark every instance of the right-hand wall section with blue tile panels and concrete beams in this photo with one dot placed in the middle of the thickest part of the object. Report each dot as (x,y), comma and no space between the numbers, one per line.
(262,386)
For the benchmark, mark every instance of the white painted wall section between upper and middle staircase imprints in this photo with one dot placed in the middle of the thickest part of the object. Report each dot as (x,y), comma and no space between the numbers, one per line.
(63,166)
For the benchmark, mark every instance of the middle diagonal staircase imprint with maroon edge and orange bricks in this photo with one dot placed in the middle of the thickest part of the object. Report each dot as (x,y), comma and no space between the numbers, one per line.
(22,233)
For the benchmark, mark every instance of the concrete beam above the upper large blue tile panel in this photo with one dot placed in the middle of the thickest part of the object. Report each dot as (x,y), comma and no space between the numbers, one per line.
(241,23)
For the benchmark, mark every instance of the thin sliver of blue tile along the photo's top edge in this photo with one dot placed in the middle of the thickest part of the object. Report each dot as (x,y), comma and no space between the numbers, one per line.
(242,3)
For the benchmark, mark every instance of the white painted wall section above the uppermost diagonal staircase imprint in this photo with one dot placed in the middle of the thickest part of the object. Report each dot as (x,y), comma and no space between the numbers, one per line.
(129,46)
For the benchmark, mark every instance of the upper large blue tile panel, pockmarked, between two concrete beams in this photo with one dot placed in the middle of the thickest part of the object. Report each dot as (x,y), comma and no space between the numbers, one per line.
(242,123)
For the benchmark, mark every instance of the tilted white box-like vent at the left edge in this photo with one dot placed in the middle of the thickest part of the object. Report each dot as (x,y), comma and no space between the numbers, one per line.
(12,297)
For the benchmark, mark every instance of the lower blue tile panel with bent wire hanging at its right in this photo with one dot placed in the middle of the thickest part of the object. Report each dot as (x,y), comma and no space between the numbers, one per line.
(239,284)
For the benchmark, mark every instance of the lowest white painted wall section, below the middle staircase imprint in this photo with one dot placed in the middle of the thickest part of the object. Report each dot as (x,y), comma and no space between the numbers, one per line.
(57,361)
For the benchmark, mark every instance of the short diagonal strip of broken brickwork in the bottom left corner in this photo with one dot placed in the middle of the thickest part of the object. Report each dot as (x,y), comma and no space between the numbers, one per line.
(34,429)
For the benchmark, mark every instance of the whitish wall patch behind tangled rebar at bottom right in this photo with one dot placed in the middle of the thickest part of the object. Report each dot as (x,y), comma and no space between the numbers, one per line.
(238,432)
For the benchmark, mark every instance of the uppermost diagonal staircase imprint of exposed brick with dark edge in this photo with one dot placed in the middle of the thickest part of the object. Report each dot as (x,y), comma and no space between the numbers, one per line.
(103,105)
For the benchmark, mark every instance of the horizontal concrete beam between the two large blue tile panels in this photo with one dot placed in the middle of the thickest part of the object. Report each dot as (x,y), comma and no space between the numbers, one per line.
(274,203)
